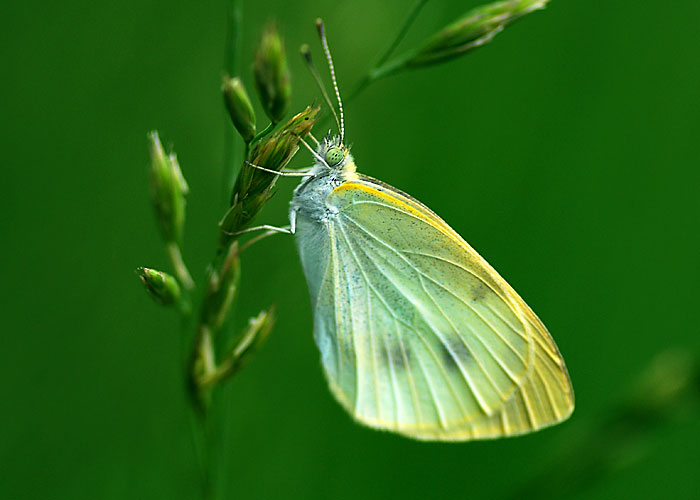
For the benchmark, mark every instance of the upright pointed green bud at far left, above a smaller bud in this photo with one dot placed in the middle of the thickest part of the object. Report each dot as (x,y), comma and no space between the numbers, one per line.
(168,190)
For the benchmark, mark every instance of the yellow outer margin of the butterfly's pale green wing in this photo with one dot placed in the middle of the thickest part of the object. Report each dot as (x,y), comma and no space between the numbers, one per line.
(543,395)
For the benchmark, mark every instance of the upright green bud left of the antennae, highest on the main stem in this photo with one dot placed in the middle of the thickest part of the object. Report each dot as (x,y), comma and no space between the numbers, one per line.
(272,78)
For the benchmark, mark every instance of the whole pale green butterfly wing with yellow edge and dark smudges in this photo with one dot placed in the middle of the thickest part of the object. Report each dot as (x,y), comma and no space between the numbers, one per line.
(418,334)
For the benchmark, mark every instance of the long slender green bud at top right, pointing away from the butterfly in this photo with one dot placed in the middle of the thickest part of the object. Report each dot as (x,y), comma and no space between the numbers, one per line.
(476,28)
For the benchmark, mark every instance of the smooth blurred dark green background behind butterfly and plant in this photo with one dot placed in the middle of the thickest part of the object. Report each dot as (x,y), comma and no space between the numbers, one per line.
(566,152)
